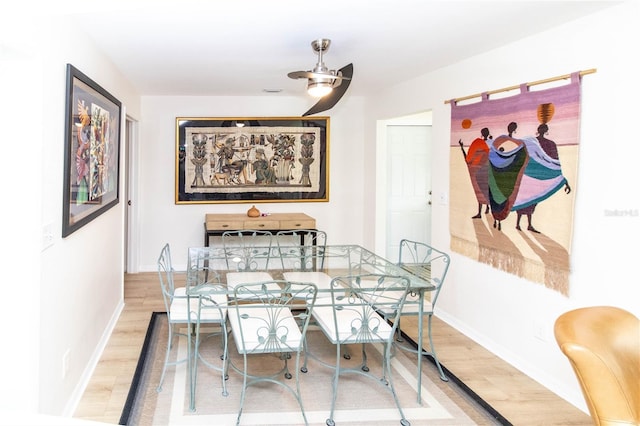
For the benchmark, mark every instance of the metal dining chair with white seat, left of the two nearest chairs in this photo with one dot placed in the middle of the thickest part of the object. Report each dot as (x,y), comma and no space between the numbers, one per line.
(264,322)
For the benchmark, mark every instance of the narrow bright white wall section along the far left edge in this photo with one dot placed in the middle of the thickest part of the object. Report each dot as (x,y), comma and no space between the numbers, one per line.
(20,221)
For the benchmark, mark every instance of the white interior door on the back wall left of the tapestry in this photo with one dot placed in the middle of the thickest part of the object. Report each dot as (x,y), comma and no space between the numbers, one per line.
(408,185)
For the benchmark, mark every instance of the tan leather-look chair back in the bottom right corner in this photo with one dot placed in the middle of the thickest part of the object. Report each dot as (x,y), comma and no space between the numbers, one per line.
(603,346)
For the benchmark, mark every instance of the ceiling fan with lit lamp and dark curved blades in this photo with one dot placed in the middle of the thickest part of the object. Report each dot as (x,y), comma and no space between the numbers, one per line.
(328,85)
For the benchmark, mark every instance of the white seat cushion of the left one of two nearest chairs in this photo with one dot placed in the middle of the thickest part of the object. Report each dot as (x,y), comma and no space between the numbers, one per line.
(252,333)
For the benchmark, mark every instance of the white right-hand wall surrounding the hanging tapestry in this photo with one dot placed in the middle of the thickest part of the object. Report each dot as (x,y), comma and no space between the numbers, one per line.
(500,310)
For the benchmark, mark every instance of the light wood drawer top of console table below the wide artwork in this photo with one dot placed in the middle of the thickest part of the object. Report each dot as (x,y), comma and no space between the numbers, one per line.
(217,224)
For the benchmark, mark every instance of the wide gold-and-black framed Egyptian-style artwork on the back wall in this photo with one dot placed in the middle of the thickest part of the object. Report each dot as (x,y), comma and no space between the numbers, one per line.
(258,159)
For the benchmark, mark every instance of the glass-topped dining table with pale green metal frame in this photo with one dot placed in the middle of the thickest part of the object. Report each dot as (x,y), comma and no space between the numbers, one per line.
(227,266)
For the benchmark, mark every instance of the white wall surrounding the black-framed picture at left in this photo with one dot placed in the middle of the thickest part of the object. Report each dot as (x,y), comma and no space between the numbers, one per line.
(86,267)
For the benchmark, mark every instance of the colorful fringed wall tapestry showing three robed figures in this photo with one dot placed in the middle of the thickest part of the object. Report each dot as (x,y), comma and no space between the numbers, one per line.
(514,163)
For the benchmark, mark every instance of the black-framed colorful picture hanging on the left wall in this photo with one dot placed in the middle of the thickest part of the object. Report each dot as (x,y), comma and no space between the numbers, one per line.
(92,151)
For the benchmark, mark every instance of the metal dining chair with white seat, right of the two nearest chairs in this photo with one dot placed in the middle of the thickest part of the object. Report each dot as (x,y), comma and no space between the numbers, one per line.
(352,318)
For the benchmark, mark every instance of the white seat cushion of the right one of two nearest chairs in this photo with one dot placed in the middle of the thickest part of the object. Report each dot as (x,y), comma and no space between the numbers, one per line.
(351,327)
